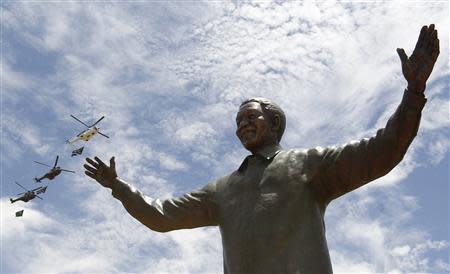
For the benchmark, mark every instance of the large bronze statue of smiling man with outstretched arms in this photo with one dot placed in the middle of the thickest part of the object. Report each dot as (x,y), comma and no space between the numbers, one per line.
(270,211)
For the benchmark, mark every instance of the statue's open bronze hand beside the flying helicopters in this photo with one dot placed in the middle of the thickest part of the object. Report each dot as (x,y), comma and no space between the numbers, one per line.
(100,172)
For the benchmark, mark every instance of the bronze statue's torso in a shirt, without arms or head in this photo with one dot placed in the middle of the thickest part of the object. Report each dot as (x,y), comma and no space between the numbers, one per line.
(270,218)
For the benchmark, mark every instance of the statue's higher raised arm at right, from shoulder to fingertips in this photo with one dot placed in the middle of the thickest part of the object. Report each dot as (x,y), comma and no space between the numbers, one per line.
(338,170)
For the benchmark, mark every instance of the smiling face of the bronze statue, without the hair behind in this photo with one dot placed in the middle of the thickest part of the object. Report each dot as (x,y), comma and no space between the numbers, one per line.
(253,127)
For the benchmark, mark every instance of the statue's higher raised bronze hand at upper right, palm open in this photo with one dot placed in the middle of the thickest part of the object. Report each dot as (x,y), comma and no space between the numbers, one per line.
(417,68)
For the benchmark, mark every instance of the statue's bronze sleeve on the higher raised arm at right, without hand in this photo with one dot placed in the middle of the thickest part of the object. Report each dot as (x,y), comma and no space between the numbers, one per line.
(339,170)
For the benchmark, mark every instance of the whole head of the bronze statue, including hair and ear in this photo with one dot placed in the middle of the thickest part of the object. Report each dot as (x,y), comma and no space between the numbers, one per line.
(260,122)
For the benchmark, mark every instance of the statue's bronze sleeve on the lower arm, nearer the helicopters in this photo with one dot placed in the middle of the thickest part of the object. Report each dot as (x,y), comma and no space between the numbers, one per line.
(192,210)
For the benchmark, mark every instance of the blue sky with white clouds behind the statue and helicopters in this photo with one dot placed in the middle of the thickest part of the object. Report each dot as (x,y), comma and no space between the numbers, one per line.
(169,78)
